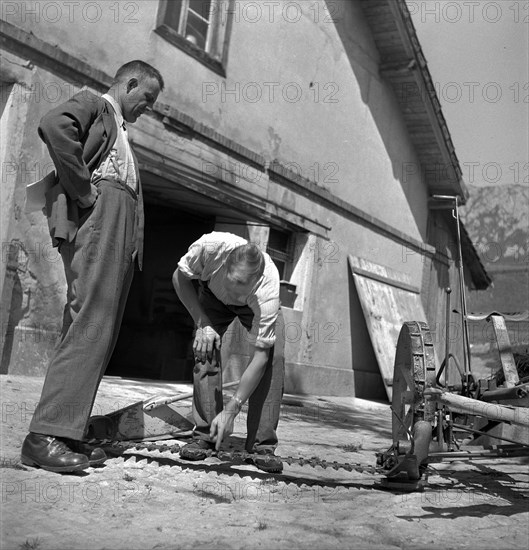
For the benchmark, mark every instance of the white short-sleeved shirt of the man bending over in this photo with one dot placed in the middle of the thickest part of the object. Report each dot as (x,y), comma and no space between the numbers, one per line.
(206,260)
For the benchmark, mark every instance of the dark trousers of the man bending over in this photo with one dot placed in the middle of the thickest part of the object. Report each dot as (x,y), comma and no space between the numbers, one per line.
(265,402)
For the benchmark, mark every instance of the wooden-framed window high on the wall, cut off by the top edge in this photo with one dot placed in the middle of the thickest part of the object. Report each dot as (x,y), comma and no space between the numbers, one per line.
(176,39)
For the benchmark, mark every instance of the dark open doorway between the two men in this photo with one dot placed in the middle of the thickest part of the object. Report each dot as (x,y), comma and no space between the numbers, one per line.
(156,332)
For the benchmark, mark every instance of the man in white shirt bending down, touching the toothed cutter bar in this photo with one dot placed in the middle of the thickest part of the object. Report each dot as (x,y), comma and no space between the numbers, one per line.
(235,279)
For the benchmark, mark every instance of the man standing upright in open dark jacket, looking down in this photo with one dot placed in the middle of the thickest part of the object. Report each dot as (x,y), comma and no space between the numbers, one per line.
(95,217)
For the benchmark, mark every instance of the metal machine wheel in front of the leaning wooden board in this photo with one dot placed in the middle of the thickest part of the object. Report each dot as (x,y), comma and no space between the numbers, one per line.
(414,371)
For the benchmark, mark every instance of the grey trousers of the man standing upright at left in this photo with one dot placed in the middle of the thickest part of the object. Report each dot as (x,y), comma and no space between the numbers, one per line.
(99,268)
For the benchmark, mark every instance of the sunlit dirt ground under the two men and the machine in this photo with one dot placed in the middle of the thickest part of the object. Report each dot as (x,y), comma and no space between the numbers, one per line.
(144,500)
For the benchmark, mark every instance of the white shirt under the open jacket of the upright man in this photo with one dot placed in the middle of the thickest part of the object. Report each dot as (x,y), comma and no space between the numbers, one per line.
(119,163)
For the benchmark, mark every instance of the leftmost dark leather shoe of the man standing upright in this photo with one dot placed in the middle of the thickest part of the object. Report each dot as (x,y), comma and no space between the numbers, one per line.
(50,453)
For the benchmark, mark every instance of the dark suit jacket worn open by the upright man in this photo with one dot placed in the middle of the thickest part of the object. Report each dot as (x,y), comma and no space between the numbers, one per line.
(79,135)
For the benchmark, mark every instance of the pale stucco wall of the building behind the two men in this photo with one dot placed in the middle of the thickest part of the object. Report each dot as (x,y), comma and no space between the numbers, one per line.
(306,94)
